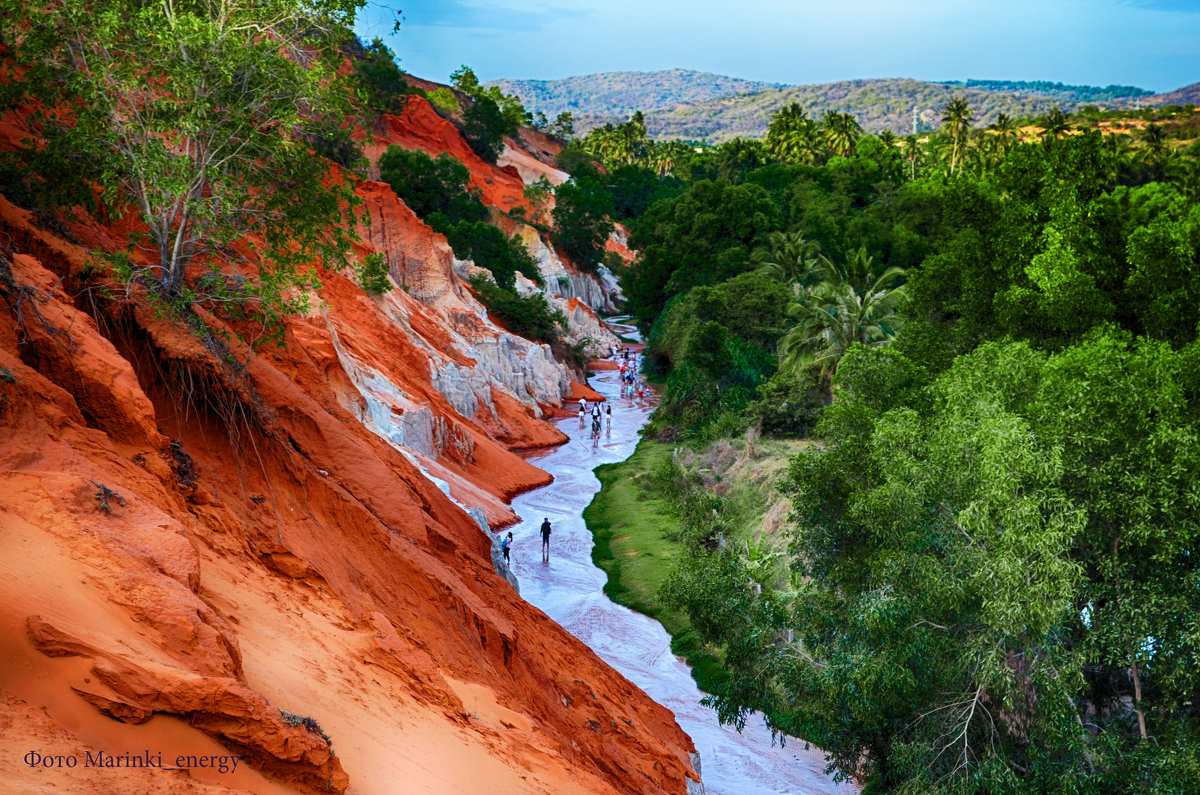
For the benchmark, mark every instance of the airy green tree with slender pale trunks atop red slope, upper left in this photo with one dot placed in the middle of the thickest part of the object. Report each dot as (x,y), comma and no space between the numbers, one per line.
(193,113)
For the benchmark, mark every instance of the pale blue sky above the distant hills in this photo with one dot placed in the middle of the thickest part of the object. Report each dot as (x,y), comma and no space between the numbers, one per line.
(1153,44)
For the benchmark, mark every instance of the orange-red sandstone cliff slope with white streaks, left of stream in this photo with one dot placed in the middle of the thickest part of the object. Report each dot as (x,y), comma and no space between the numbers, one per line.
(199,557)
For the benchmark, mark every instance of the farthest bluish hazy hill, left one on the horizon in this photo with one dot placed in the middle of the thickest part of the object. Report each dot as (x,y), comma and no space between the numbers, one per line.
(620,94)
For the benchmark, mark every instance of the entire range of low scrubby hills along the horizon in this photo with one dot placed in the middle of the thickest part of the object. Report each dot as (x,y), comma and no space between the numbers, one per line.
(699,106)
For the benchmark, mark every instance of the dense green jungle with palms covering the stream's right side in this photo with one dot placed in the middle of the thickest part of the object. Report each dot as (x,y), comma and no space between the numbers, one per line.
(991,581)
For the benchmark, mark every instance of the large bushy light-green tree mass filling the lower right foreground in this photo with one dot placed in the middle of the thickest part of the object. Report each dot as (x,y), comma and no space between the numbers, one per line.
(994,584)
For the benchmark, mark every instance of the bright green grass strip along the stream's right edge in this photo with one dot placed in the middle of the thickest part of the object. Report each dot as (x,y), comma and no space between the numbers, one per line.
(632,527)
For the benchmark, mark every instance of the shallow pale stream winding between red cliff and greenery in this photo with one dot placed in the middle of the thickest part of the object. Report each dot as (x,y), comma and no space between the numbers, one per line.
(569,589)
